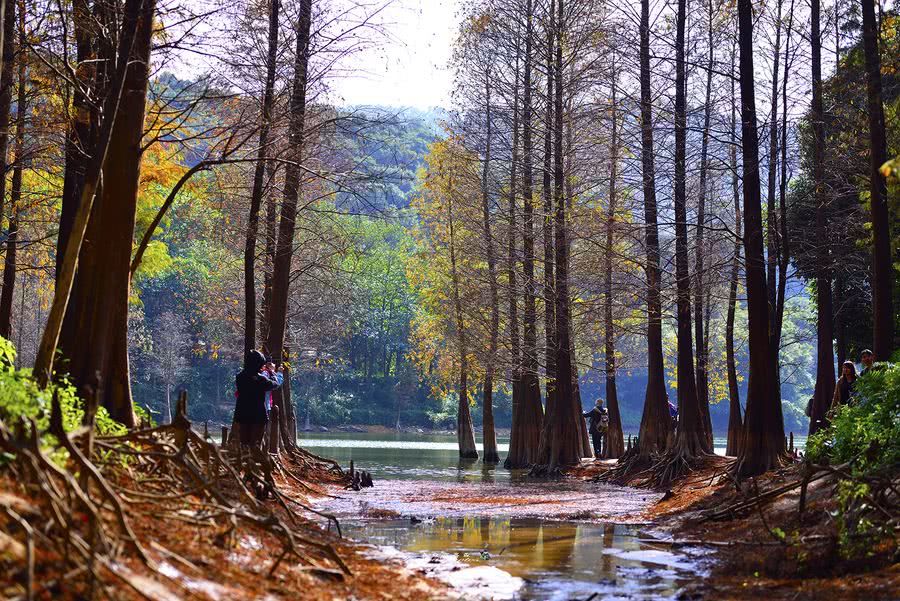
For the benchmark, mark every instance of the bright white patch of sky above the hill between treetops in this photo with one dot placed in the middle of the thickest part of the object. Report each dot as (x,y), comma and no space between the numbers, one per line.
(410,68)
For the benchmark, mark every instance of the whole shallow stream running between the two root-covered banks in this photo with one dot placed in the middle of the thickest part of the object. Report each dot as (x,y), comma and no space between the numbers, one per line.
(492,534)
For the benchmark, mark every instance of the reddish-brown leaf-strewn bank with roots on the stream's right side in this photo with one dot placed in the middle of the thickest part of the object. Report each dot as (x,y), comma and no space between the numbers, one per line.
(763,546)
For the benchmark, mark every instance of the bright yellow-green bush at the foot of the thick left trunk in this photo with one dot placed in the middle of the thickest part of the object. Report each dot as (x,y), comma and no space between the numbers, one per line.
(21,397)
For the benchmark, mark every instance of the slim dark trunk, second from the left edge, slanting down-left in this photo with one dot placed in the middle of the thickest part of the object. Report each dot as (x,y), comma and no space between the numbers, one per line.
(12,239)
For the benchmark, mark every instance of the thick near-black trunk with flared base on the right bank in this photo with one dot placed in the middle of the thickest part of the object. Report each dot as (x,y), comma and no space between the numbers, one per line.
(762,440)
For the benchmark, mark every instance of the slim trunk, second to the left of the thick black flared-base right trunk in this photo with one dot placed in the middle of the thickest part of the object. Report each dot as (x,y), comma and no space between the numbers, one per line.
(699,290)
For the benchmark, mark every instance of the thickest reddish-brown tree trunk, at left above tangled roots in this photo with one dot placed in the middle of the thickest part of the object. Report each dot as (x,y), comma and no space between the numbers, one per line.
(96,324)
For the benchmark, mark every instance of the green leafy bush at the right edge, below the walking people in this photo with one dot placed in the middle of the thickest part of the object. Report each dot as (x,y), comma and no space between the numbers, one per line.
(869,429)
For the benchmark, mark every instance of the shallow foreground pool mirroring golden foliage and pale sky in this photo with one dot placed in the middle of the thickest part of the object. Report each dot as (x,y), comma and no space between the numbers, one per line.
(554,559)
